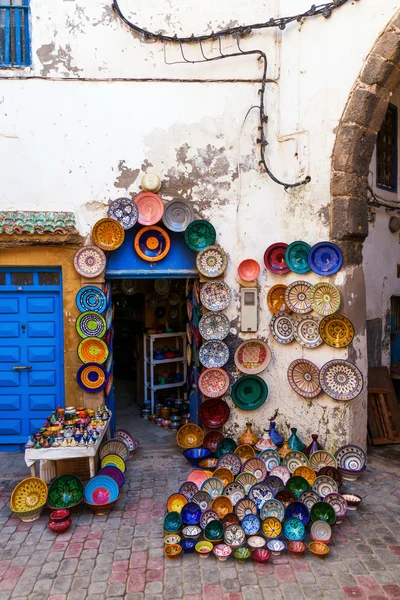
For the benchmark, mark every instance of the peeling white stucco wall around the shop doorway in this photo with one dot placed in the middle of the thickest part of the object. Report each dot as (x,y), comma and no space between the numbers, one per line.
(100,107)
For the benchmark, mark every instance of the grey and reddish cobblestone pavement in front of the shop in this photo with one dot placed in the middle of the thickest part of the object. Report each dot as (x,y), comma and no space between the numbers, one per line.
(121,555)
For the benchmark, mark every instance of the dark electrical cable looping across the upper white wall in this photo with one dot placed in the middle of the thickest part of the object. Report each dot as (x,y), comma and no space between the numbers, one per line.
(237,33)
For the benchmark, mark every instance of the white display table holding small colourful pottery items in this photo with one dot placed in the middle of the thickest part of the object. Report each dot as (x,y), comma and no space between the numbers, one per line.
(47,457)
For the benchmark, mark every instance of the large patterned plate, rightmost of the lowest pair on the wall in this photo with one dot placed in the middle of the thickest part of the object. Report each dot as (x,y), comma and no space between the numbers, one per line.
(341,380)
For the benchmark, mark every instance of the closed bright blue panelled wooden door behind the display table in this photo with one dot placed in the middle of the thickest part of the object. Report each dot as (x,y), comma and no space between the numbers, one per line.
(31,352)
